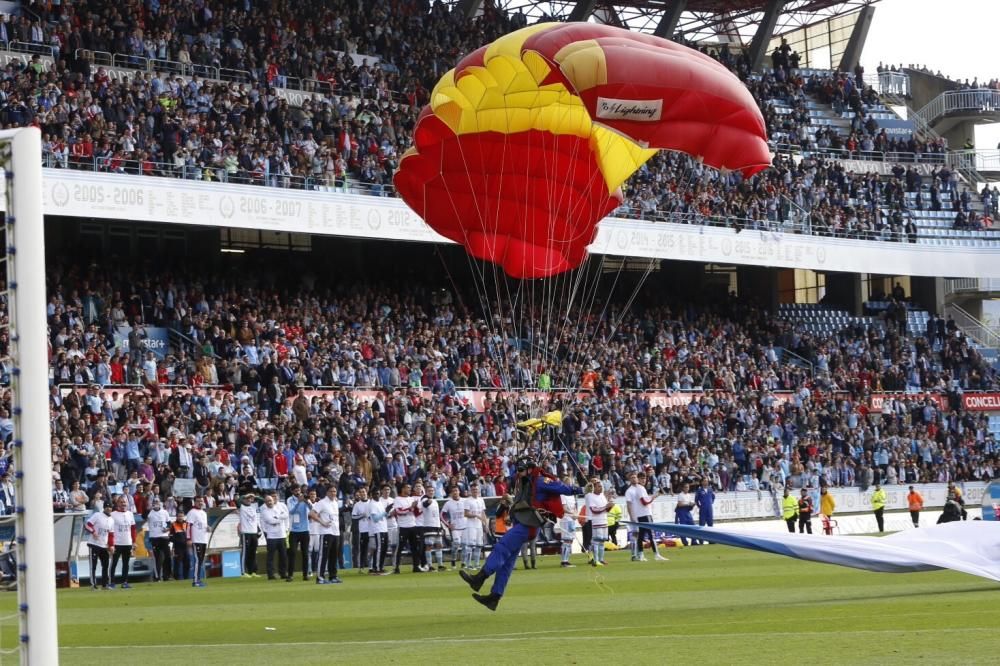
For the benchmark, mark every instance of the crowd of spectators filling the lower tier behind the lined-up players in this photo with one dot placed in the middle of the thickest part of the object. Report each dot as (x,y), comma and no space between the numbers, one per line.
(241,417)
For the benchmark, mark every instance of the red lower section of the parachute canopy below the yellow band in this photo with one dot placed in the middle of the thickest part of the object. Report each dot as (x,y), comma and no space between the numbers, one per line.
(529,201)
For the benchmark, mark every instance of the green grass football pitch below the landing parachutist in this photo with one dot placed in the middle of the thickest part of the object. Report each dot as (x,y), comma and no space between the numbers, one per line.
(711,604)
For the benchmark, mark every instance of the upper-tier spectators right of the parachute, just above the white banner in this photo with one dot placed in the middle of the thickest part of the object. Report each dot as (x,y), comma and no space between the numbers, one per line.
(812,194)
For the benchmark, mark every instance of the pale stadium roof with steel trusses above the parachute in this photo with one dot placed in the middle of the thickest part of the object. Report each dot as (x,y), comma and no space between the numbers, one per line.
(733,21)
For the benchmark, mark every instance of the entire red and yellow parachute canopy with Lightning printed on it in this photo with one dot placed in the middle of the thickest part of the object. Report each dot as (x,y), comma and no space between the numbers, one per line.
(525,144)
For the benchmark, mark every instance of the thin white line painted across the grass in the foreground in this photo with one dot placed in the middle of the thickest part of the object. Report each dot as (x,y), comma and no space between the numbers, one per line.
(517,637)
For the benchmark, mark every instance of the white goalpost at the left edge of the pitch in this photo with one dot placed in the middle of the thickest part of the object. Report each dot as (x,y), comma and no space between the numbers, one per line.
(21,160)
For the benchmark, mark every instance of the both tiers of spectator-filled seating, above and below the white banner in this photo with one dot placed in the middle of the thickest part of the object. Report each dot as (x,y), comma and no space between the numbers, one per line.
(368,384)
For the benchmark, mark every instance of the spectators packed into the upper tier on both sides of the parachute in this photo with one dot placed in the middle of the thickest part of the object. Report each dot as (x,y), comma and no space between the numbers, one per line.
(354,129)
